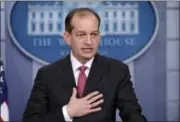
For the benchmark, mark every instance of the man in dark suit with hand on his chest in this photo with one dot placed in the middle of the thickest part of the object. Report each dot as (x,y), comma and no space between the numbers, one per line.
(84,86)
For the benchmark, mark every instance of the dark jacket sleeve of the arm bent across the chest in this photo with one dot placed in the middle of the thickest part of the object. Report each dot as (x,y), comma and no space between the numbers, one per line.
(37,105)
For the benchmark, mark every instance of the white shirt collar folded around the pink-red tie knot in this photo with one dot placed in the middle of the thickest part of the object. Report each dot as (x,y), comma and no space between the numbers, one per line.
(76,64)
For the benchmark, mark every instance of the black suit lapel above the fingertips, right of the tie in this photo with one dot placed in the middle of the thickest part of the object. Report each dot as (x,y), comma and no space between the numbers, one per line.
(96,74)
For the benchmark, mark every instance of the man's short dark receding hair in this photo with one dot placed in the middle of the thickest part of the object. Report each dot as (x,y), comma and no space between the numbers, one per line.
(80,12)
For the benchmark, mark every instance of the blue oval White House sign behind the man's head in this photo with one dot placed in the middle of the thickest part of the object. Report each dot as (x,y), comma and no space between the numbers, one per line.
(127,28)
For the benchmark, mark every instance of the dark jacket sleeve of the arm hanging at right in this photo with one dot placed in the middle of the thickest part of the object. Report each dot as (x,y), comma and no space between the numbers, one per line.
(127,103)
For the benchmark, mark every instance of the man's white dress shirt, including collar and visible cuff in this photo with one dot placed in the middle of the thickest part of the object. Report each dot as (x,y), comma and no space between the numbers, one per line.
(75,65)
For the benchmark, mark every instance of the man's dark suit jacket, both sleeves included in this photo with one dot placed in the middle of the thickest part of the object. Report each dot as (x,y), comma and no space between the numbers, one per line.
(53,88)
